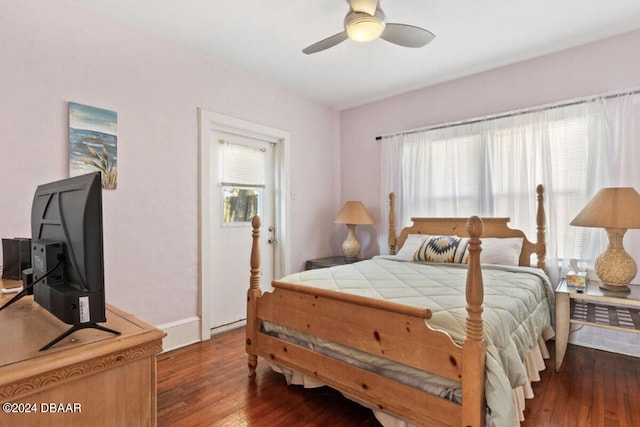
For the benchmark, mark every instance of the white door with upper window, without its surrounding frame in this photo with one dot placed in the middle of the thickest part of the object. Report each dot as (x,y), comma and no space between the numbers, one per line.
(241,187)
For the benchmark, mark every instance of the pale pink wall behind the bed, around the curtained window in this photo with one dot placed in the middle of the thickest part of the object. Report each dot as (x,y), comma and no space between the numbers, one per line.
(609,65)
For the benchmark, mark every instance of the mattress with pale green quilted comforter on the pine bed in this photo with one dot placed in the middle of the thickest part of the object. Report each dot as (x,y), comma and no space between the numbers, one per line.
(517,302)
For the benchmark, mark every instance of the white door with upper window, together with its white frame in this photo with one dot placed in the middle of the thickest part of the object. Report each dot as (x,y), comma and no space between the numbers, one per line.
(229,198)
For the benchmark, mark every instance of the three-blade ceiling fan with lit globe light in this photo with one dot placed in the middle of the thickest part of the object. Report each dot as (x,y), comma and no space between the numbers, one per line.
(365,21)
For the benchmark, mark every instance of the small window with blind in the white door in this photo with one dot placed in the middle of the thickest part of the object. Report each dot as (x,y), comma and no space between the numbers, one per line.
(243,170)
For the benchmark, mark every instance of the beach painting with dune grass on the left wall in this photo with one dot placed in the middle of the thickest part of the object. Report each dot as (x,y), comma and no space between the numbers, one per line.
(93,143)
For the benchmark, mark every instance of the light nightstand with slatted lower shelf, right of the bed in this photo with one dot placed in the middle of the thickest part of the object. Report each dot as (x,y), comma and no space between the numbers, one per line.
(594,307)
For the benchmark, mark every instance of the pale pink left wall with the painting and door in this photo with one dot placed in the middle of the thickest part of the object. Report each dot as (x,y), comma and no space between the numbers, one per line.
(52,52)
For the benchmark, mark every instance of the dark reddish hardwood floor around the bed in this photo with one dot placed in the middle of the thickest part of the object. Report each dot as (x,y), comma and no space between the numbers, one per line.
(206,384)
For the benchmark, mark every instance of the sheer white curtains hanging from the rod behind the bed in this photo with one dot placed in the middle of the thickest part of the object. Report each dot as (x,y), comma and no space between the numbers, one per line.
(491,167)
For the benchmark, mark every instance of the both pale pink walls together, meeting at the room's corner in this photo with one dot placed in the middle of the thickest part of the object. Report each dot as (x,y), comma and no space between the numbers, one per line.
(53,52)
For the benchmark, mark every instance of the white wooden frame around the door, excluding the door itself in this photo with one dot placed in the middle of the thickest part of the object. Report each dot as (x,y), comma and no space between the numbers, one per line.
(208,121)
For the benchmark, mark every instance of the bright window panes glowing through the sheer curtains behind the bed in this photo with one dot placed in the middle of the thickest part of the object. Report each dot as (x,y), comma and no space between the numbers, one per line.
(494,170)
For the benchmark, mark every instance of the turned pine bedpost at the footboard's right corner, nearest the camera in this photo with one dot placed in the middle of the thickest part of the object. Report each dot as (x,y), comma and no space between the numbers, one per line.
(473,348)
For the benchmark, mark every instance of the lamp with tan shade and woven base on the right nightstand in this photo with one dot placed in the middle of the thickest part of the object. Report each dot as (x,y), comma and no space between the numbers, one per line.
(616,210)
